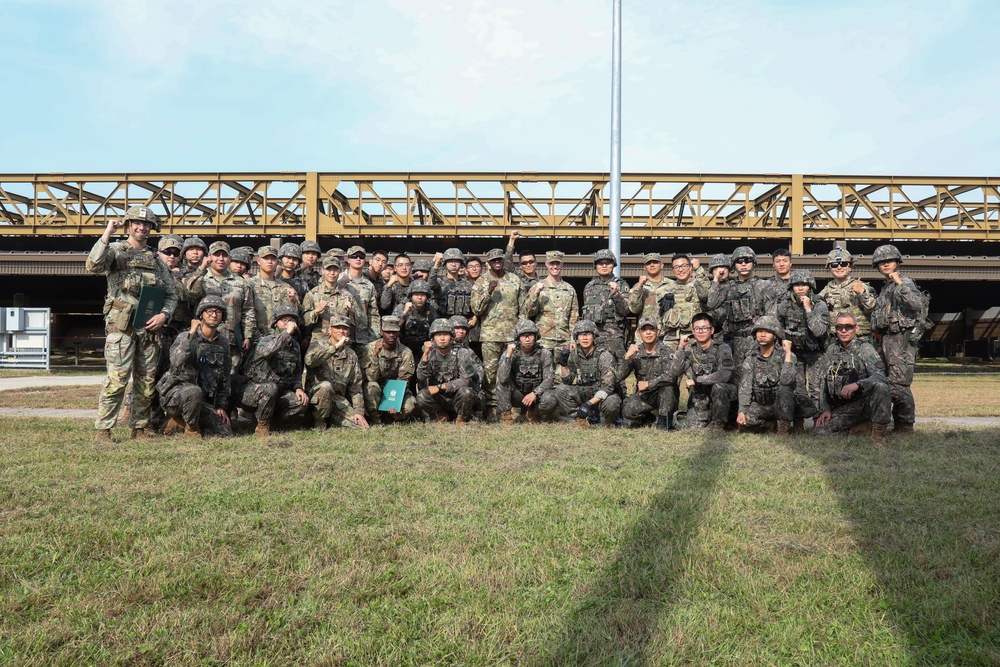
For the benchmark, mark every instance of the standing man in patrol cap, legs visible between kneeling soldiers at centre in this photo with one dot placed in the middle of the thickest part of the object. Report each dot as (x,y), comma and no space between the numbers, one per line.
(498,300)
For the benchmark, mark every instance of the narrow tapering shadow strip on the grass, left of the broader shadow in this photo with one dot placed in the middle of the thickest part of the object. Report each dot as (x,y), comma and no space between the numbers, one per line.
(616,620)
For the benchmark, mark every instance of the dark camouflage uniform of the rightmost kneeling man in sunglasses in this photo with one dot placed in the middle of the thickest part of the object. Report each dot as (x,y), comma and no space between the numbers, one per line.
(858,362)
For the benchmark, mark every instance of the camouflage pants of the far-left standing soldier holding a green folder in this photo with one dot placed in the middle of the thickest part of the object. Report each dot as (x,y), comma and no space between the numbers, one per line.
(134,356)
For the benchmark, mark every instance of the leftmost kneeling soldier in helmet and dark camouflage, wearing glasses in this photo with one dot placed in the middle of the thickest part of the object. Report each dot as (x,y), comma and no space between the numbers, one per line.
(194,392)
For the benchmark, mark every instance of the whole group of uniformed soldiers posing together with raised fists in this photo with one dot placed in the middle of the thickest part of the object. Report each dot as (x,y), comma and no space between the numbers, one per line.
(299,334)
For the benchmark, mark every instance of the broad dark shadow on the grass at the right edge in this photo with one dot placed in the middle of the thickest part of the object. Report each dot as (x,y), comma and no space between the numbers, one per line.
(926,516)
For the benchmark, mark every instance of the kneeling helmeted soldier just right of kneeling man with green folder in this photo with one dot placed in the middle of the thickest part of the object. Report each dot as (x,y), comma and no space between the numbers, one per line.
(449,377)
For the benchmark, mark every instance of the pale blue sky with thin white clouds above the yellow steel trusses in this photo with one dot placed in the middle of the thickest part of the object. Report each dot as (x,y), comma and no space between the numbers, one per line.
(503,85)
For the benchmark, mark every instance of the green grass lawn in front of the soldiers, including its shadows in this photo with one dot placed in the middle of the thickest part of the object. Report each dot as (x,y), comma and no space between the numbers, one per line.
(486,546)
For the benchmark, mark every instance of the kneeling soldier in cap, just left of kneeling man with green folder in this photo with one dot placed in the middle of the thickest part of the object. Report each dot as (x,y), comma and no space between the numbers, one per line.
(334,379)
